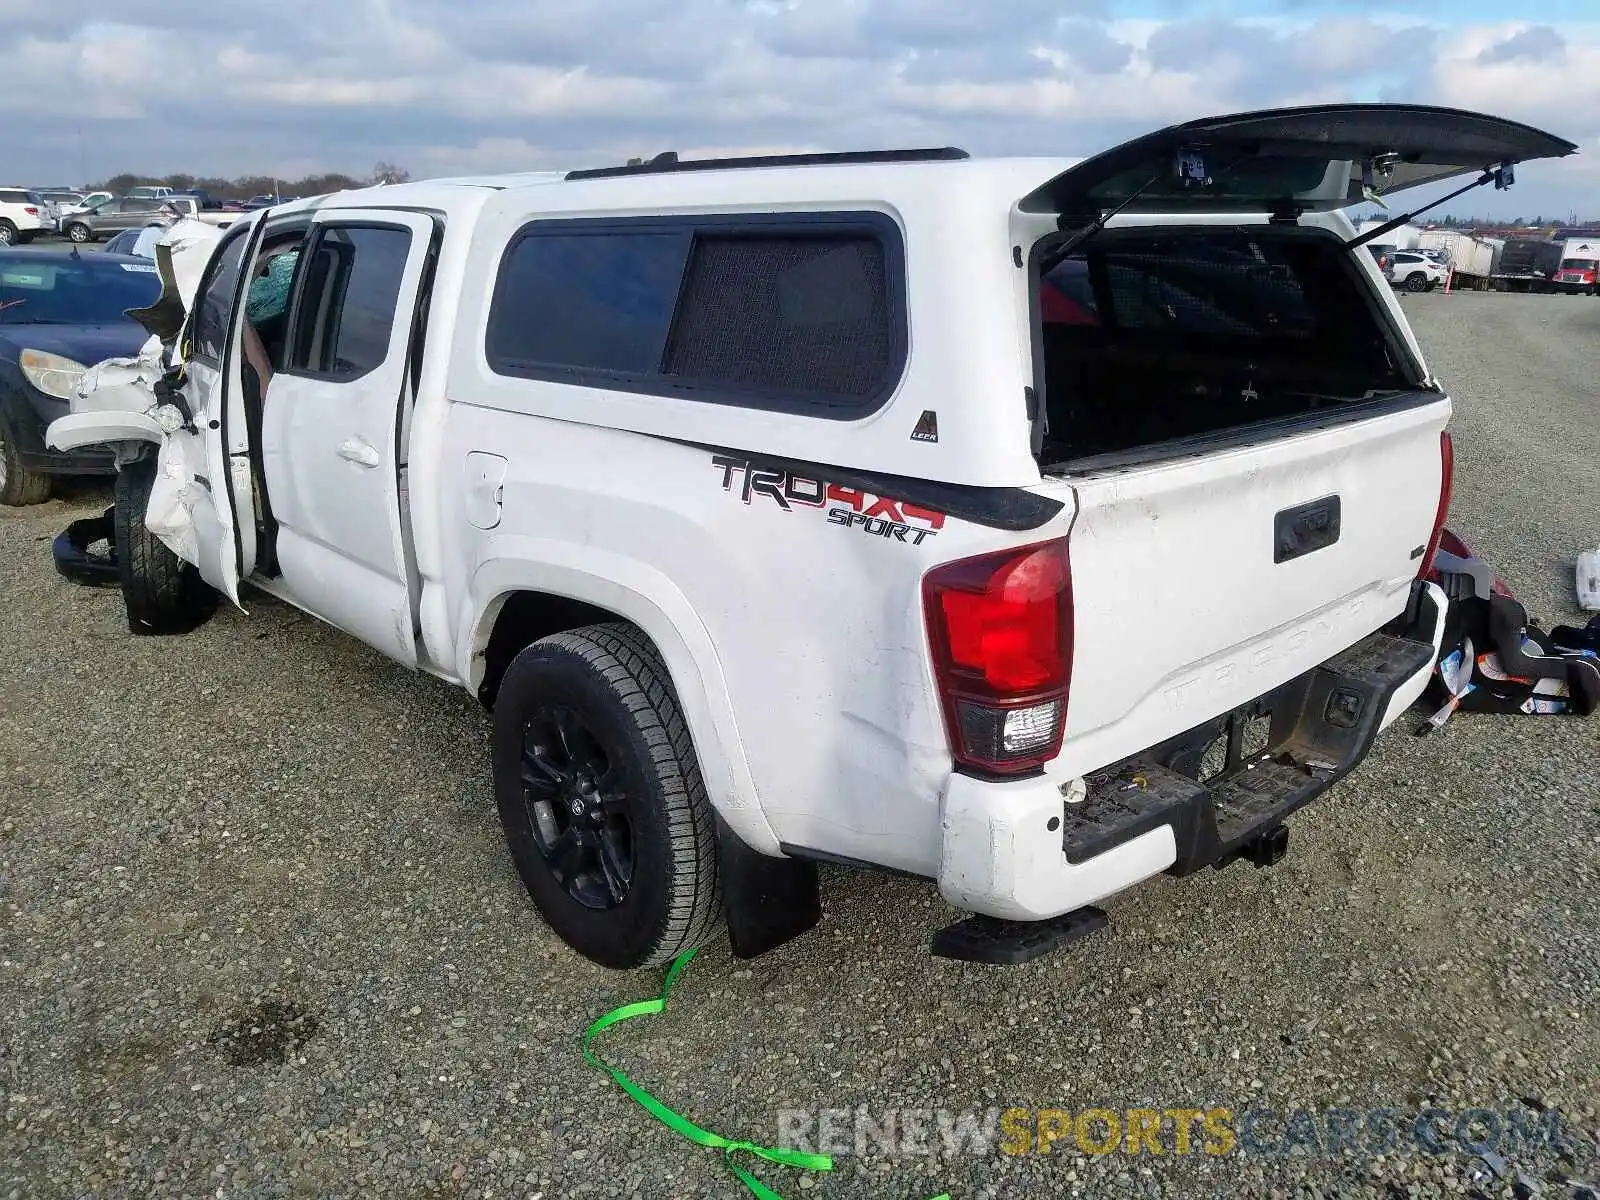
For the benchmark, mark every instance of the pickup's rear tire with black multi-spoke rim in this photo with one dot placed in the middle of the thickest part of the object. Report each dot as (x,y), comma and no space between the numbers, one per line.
(602,799)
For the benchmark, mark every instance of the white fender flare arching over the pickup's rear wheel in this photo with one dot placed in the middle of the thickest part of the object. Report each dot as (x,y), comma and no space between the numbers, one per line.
(535,590)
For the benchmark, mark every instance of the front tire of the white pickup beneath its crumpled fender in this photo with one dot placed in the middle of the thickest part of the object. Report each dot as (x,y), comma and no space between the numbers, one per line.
(161,591)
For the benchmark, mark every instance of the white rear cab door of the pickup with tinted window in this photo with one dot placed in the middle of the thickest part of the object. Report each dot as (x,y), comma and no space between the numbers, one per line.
(334,433)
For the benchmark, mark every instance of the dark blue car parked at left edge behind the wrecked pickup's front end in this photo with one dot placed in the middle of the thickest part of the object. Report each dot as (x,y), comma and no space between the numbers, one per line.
(60,314)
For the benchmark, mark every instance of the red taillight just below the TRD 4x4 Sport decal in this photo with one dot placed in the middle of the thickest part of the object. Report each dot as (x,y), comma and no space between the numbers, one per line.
(1001,630)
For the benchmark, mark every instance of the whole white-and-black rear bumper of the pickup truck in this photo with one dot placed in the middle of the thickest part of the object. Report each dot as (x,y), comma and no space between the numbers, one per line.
(1018,850)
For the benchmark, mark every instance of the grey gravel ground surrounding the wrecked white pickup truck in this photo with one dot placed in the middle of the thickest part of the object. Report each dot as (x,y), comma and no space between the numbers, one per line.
(260,938)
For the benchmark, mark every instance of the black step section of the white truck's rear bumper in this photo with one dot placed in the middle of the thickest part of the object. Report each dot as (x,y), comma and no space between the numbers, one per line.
(1314,730)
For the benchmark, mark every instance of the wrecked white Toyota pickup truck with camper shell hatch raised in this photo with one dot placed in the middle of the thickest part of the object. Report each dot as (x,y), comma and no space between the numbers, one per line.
(1031,527)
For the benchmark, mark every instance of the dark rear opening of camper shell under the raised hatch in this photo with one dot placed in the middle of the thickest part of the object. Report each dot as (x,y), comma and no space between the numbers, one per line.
(1161,342)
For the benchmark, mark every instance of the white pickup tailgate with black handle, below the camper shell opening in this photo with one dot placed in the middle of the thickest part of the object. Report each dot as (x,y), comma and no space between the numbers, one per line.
(1198,586)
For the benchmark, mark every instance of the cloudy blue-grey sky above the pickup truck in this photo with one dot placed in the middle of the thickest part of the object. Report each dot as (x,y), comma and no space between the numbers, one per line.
(447,87)
